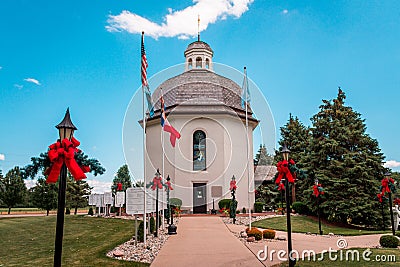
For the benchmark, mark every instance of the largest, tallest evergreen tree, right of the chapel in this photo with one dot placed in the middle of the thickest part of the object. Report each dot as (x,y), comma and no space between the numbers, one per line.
(347,162)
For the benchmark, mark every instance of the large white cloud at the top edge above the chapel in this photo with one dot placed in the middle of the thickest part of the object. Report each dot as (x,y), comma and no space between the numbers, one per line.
(179,23)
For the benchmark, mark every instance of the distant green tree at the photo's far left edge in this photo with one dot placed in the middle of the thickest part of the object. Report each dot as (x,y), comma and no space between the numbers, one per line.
(12,188)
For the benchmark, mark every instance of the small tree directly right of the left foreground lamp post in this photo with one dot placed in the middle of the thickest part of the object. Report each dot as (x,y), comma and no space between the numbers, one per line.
(76,193)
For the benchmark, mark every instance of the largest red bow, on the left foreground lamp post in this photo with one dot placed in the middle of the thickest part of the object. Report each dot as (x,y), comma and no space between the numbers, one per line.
(64,152)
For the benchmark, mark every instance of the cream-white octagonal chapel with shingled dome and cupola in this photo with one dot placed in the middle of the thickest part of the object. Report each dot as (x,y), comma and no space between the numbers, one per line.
(205,108)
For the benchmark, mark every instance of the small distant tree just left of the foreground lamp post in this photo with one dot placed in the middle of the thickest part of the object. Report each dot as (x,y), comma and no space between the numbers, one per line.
(44,196)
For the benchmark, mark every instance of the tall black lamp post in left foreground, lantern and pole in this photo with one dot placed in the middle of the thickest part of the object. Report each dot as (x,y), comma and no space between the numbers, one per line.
(66,130)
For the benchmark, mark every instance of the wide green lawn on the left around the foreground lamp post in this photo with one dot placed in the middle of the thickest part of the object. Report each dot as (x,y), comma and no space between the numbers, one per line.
(29,241)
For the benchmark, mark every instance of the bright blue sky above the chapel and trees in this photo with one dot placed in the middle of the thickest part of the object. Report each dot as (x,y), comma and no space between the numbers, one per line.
(86,56)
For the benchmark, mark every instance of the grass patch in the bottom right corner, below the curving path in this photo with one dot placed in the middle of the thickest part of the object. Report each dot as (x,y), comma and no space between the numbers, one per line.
(377,258)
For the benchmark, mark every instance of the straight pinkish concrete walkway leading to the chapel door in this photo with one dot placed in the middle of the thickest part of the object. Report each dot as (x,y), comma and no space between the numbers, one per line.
(204,241)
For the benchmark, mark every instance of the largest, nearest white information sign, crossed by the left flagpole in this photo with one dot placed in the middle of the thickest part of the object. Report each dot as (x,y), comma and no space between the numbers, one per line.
(135,201)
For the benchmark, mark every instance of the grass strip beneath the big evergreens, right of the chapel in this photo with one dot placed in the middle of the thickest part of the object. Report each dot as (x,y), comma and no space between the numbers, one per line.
(303,224)
